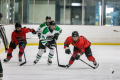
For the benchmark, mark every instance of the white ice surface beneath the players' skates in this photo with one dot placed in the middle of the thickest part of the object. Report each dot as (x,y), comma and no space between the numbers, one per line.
(107,56)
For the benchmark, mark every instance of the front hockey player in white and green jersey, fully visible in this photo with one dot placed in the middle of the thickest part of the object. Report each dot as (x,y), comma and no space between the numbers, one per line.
(48,37)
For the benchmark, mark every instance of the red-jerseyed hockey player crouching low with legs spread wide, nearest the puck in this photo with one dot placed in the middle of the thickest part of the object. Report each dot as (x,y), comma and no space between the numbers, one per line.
(81,46)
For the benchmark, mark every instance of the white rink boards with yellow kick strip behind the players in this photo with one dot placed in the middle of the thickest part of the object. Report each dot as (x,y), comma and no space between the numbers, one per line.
(95,34)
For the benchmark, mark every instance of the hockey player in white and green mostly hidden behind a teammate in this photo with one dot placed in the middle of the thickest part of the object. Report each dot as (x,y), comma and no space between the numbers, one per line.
(42,26)
